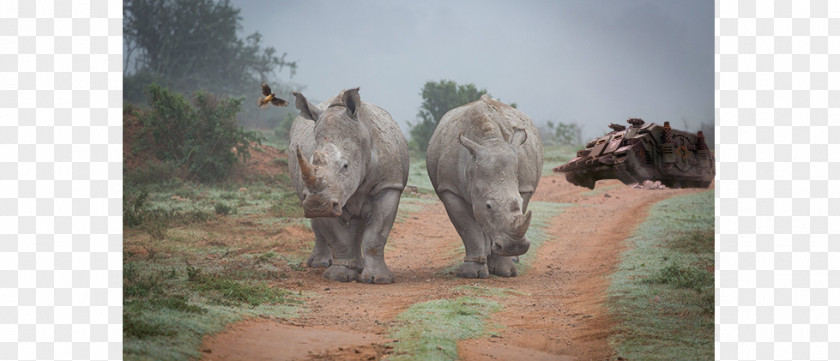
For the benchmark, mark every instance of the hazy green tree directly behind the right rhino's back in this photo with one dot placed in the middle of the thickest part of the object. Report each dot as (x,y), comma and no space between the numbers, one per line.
(439,98)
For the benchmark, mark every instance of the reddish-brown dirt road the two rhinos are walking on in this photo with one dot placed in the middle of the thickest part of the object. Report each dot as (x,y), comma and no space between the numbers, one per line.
(559,315)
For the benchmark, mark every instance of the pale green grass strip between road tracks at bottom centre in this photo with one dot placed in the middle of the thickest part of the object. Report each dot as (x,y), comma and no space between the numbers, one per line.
(431,330)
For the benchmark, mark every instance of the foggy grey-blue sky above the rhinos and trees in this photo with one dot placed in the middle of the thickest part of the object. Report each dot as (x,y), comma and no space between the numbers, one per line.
(590,62)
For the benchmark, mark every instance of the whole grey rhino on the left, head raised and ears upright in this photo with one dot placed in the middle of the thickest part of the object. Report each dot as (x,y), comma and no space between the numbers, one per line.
(349,164)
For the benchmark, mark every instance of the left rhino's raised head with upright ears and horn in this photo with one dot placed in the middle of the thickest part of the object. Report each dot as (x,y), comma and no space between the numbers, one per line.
(338,164)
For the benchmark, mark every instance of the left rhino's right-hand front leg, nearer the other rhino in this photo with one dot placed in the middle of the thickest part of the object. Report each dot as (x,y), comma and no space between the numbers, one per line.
(379,224)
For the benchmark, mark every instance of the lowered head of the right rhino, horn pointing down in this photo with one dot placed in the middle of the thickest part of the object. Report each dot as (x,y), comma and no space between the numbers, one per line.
(494,193)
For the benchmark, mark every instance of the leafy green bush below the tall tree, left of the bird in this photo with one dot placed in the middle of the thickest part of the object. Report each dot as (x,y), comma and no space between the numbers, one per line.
(203,138)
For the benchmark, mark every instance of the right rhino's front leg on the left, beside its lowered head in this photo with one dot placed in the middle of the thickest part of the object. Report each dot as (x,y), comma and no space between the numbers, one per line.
(460,213)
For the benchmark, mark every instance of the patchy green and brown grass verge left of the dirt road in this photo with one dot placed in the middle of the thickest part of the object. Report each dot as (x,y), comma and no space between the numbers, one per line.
(199,257)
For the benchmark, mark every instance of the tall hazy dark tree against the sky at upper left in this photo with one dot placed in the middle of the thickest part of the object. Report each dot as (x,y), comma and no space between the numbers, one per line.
(190,45)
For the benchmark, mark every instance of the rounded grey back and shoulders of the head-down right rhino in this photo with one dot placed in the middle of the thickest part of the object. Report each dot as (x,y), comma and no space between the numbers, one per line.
(447,159)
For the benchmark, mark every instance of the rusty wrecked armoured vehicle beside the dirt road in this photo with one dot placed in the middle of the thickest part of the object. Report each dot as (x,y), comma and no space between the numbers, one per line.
(642,152)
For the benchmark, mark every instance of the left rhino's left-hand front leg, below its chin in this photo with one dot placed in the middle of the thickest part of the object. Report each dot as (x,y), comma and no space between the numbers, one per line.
(340,238)
